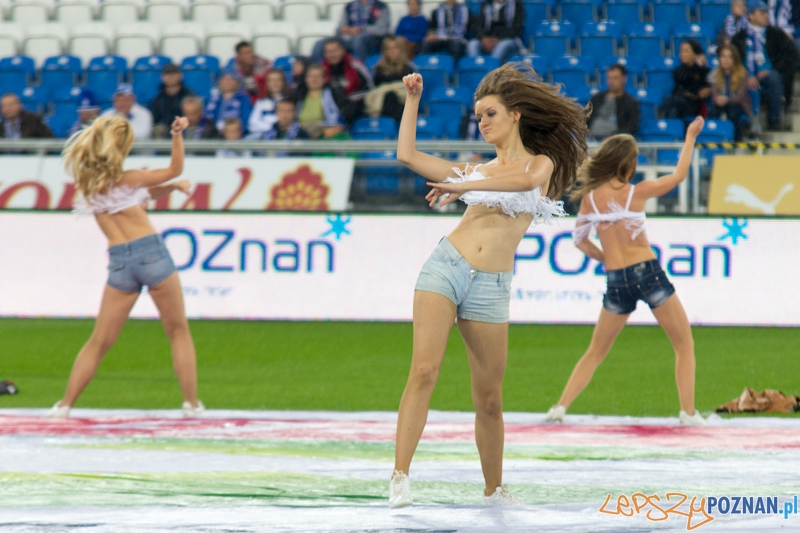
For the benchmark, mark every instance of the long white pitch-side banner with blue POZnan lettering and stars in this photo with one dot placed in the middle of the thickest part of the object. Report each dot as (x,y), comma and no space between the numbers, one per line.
(364,267)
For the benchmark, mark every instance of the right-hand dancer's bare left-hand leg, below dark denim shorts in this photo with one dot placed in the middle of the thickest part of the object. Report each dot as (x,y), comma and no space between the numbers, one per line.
(605,333)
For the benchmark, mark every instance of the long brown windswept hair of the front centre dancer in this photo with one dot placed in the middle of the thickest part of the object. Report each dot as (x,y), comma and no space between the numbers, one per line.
(550,123)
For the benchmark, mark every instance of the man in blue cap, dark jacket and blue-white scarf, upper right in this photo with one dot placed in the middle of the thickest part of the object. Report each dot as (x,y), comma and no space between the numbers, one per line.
(770,58)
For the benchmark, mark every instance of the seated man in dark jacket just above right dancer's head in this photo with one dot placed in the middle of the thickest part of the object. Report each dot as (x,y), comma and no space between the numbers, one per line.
(614,110)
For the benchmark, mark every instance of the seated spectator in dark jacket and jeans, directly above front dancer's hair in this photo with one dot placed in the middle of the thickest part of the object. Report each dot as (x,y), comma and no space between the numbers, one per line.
(497,29)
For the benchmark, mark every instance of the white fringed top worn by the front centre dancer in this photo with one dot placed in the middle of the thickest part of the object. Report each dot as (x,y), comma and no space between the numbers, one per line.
(541,207)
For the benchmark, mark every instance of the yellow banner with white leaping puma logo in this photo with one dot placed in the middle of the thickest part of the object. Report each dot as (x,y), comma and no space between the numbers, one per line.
(755,185)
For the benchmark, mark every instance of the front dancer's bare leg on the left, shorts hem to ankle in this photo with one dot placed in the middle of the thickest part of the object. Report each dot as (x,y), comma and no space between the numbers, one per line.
(434,315)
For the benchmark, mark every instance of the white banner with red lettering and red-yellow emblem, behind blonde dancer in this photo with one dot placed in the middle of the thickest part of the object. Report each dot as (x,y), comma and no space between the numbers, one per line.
(218,184)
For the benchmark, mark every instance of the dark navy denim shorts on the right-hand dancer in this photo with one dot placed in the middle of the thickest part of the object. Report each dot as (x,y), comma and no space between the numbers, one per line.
(644,281)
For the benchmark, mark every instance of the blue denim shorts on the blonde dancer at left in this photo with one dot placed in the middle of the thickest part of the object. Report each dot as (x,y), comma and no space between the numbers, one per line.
(139,263)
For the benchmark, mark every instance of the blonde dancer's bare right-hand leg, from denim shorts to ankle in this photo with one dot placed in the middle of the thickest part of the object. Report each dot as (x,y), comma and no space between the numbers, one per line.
(168,297)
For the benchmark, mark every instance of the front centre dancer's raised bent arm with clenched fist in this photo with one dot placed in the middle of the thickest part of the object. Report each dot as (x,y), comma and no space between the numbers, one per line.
(432,168)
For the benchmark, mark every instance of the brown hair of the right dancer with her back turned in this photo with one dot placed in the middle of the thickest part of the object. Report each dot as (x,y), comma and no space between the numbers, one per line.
(616,158)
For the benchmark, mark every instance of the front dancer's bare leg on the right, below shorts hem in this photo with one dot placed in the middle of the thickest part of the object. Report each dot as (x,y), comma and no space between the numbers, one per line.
(487,348)
